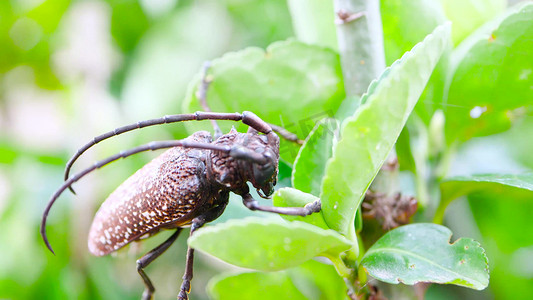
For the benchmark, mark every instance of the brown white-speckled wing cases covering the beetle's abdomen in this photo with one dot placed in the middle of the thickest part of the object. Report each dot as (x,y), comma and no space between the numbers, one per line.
(166,193)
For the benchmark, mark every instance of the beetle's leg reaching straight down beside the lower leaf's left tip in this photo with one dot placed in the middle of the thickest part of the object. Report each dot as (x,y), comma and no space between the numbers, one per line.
(197,223)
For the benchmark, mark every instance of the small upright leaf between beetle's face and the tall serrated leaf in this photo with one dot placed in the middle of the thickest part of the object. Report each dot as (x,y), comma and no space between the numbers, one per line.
(310,163)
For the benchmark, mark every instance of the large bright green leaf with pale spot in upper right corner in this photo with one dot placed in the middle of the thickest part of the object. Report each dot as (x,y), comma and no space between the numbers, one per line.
(493,76)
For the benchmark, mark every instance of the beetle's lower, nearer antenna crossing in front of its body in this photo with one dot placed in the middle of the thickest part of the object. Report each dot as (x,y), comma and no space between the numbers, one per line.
(123,154)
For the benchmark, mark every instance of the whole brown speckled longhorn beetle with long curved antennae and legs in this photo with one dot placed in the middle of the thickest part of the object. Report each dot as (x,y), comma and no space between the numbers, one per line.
(188,185)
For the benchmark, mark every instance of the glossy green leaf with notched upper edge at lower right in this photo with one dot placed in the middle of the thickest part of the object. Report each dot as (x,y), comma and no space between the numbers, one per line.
(422,253)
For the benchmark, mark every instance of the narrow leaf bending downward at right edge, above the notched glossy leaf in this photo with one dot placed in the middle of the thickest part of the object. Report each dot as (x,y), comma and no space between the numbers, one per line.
(455,187)
